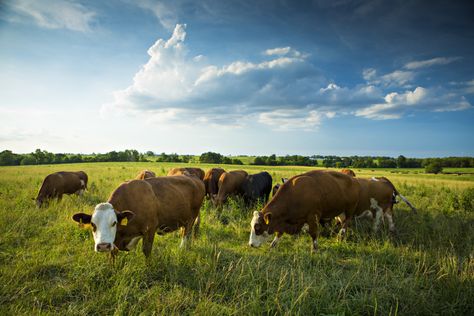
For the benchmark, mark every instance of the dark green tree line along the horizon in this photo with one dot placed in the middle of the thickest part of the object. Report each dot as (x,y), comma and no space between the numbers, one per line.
(38,157)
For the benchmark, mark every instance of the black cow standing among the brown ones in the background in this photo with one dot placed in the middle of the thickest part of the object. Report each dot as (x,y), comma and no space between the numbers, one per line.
(257,186)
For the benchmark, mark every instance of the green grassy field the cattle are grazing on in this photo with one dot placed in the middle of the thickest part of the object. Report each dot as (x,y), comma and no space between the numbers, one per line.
(47,264)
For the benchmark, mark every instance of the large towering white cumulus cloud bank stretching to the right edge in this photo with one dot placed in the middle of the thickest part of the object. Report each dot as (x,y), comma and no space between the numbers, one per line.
(284,90)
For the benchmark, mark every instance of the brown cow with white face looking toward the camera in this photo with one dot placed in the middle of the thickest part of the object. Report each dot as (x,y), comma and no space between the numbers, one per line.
(154,205)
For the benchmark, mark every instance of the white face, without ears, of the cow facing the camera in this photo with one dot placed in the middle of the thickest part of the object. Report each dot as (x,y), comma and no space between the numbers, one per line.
(104,223)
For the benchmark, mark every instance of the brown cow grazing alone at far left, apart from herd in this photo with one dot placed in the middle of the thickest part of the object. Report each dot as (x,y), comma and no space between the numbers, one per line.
(59,183)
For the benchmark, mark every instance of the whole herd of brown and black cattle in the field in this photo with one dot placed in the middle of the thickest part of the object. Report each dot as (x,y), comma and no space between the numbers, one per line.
(149,205)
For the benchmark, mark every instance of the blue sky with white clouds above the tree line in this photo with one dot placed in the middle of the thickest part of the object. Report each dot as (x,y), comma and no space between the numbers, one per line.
(238,77)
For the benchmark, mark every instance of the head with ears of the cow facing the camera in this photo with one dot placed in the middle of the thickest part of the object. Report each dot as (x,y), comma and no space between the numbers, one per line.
(104,221)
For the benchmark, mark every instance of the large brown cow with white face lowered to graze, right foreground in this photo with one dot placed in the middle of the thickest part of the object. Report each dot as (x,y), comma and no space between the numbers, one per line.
(305,199)
